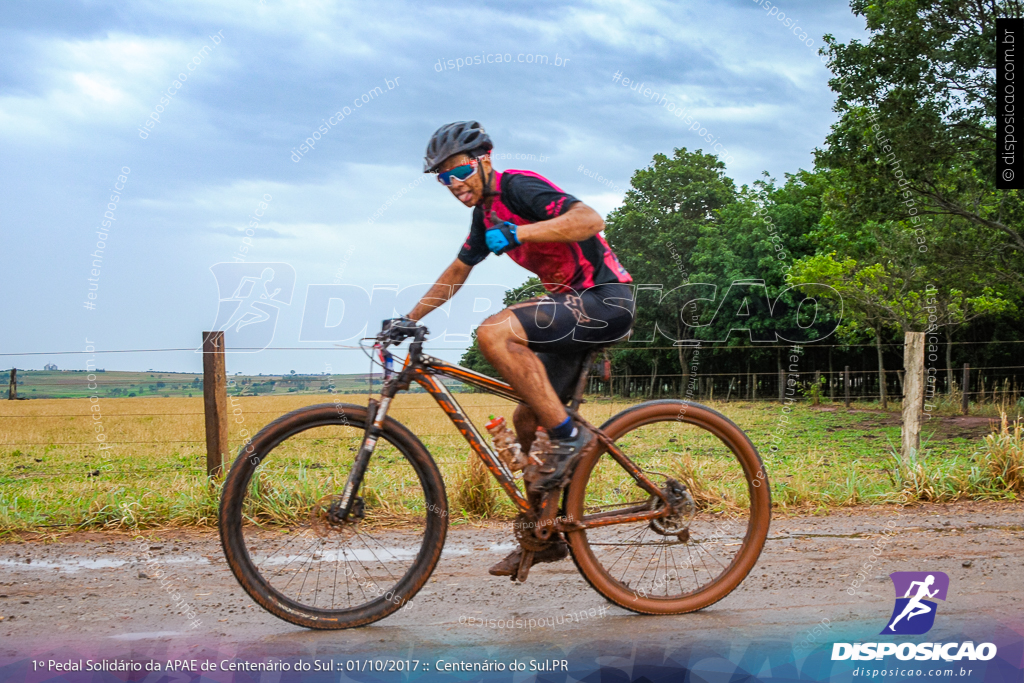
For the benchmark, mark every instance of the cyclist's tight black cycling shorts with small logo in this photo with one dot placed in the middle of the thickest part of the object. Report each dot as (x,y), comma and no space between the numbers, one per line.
(563,328)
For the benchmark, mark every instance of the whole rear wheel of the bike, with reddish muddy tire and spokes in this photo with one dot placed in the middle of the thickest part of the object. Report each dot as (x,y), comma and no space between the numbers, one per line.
(701,553)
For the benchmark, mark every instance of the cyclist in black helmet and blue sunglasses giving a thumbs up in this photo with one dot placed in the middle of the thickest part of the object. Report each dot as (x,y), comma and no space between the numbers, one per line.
(533,344)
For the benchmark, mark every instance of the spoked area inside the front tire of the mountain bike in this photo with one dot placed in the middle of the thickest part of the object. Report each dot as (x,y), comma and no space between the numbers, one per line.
(297,566)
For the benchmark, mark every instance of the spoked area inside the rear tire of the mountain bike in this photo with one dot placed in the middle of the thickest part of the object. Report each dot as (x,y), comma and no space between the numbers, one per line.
(712,496)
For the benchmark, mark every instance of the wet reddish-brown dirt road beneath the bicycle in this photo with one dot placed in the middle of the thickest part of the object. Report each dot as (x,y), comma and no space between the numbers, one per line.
(92,590)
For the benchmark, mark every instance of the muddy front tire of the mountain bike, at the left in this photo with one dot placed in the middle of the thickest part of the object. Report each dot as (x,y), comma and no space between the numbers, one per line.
(233,527)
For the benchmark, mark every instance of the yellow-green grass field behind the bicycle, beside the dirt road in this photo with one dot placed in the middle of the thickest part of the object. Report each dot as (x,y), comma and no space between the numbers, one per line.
(150,469)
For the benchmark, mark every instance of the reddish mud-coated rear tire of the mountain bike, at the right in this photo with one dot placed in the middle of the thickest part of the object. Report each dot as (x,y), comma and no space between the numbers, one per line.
(602,579)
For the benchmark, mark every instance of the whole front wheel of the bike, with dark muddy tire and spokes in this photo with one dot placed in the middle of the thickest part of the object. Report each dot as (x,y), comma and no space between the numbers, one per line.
(290,557)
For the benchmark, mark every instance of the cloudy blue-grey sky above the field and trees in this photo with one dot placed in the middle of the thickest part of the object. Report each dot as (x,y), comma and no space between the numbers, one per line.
(80,80)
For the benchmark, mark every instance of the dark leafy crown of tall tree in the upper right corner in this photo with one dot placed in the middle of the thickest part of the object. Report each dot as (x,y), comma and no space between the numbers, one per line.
(917,131)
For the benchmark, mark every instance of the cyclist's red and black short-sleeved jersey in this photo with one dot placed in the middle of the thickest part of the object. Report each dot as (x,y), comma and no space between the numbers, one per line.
(529,198)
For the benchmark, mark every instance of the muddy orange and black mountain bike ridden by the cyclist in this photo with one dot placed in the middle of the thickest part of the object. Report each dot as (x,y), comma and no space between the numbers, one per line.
(666,513)
